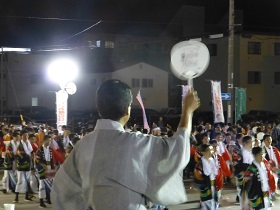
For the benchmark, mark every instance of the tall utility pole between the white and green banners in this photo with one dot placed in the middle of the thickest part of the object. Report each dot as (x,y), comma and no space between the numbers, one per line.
(230,103)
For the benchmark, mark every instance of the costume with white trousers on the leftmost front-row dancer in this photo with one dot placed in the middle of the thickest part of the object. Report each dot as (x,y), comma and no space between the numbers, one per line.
(9,179)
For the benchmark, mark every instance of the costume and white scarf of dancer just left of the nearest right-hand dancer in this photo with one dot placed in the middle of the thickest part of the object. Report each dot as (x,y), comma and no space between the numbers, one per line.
(241,159)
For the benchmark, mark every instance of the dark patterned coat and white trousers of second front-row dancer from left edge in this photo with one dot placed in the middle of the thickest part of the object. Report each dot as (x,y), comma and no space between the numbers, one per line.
(23,162)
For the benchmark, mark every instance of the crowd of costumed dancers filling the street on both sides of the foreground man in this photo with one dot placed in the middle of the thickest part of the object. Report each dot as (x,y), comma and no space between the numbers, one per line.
(244,155)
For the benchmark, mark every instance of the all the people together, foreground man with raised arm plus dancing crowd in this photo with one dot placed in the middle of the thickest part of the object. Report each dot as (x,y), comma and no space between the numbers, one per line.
(130,166)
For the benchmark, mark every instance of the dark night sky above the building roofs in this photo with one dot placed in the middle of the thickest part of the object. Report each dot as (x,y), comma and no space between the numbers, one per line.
(39,22)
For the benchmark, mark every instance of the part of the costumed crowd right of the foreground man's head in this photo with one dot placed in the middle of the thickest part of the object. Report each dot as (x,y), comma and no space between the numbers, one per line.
(245,155)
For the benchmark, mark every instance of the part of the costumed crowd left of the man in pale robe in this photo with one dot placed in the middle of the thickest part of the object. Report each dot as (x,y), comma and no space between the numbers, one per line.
(31,156)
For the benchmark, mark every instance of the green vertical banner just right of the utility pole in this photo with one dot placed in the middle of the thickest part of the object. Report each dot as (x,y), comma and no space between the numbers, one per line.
(240,103)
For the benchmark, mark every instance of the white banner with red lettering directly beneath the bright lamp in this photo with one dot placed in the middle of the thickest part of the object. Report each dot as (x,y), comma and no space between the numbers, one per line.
(61,108)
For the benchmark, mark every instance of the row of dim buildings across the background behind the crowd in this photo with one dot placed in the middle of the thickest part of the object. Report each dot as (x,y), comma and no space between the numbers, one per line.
(144,63)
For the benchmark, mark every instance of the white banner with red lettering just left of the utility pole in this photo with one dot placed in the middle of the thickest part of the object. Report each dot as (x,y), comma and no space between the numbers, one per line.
(217,102)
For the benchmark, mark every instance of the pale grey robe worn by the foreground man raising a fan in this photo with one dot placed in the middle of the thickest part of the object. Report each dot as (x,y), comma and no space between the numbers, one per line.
(113,169)
